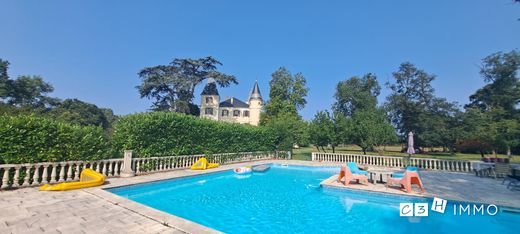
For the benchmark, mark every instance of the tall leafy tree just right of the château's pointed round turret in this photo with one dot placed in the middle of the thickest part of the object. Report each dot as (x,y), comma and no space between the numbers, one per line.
(286,95)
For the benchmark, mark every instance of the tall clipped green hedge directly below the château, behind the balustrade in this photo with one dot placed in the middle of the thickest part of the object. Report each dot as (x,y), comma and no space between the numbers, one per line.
(166,133)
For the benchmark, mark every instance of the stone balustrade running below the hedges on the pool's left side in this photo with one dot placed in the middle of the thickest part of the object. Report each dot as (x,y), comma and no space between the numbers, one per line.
(34,174)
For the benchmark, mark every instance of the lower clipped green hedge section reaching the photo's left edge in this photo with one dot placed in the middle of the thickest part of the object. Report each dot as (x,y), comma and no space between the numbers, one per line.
(29,139)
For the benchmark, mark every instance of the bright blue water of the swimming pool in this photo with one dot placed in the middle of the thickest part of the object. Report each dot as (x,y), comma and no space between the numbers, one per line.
(290,200)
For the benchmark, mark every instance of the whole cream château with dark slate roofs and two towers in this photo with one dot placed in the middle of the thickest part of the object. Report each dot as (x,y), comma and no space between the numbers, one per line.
(232,109)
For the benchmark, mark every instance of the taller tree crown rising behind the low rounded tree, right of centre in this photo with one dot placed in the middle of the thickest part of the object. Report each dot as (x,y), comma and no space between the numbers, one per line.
(356,94)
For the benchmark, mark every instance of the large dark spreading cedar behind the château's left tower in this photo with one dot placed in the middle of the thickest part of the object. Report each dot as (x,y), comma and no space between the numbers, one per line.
(173,85)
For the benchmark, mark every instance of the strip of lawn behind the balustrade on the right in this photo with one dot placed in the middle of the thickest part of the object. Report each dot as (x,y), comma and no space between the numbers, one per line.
(304,153)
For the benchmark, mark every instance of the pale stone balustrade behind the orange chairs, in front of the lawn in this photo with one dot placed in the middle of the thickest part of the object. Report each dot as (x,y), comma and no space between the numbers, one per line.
(388,161)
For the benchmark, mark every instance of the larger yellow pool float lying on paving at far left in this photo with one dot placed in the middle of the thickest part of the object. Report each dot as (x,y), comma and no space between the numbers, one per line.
(88,178)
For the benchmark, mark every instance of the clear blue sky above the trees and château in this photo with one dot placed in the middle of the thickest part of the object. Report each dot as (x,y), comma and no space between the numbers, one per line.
(92,50)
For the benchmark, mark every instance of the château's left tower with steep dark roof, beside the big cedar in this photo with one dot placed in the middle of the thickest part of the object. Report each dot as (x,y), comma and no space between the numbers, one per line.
(210,99)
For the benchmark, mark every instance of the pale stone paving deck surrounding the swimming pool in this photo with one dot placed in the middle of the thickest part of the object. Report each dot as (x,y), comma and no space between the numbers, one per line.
(95,210)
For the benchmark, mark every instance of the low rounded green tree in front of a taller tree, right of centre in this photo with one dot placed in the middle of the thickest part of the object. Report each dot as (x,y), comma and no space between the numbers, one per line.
(370,129)
